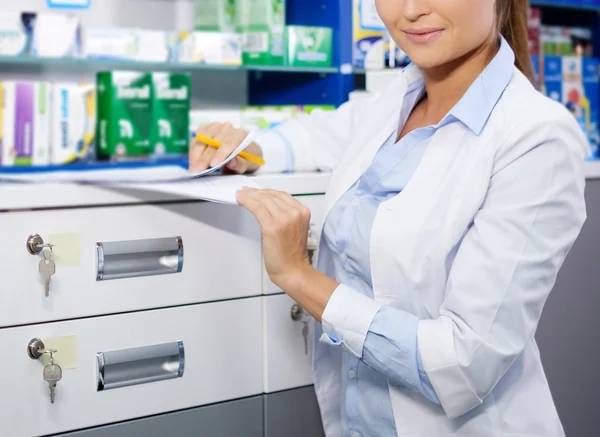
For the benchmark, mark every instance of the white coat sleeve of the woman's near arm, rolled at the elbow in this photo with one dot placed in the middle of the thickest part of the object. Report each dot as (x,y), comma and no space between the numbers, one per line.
(506,264)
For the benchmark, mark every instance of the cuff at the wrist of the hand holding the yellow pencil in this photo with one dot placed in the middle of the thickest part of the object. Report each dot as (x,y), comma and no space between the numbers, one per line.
(277,152)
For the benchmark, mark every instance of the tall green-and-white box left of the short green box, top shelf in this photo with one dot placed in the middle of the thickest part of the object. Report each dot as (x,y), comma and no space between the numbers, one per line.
(262,24)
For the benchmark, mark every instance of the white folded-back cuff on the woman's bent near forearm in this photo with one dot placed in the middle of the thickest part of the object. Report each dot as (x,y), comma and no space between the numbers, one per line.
(347,318)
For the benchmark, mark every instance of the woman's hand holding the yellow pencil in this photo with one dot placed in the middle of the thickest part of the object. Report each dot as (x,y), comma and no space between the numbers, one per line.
(202,156)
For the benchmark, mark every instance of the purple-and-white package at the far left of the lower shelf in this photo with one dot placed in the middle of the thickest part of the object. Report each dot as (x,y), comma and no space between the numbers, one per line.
(25,122)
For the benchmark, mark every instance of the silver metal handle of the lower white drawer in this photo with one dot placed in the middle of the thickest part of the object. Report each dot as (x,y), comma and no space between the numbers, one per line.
(140,365)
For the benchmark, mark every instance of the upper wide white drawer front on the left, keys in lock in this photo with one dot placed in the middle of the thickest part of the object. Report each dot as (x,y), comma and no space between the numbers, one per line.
(217,241)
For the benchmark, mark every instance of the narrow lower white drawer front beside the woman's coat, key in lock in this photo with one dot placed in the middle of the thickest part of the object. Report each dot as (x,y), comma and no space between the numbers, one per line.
(286,363)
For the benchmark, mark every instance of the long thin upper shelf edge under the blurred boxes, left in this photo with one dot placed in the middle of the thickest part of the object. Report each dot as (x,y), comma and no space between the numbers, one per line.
(110,64)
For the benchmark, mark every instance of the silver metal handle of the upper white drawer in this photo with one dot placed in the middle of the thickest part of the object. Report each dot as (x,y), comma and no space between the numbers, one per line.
(137,258)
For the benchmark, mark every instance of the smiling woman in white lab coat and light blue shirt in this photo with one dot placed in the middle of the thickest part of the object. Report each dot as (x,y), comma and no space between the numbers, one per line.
(454,199)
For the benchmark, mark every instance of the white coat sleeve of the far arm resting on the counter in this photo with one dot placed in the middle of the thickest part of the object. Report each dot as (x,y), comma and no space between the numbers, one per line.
(311,142)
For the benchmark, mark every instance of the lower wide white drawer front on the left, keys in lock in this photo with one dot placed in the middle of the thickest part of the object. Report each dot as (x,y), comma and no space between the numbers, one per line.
(223,361)
